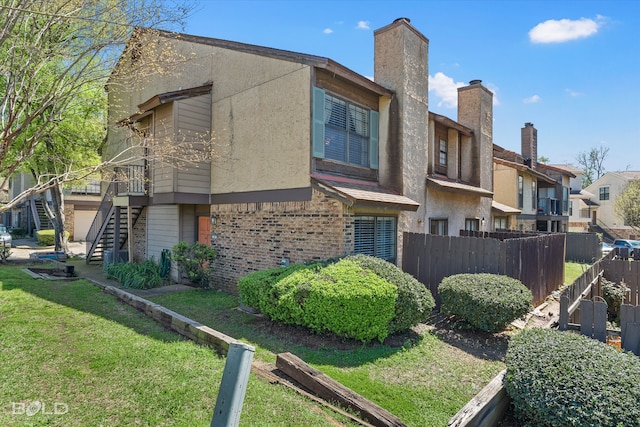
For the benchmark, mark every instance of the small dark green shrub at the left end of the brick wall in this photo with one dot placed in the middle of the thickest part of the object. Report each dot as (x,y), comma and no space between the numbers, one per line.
(195,259)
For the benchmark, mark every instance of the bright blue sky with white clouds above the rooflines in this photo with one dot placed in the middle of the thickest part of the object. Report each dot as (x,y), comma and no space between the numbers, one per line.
(571,67)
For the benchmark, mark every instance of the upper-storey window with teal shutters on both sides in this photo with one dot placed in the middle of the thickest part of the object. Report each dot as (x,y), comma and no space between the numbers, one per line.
(343,131)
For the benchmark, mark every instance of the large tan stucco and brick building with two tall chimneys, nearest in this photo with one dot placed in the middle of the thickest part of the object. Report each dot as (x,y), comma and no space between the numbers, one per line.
(312,160)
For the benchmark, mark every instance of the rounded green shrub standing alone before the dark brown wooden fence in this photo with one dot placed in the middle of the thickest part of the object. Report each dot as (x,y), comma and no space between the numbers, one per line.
(488,302)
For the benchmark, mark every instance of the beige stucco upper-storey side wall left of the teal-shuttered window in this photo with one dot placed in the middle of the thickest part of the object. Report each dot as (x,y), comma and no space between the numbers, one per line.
(261,110)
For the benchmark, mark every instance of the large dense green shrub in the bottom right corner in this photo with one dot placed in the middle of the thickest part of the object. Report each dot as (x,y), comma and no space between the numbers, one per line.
(565,379)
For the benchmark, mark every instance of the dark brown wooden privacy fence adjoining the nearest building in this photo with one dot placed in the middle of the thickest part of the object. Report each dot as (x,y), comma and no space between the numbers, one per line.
(538,262)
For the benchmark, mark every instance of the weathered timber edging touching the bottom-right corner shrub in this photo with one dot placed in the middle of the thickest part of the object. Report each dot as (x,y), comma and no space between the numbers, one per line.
(486,408)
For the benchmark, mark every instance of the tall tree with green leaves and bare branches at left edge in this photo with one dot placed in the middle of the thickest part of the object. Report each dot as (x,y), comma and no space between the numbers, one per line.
(55,58)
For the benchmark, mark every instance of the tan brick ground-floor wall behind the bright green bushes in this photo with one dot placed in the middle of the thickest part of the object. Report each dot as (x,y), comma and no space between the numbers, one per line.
(258,236)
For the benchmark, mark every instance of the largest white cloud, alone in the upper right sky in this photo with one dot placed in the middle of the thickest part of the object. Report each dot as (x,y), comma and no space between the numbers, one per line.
(558,31)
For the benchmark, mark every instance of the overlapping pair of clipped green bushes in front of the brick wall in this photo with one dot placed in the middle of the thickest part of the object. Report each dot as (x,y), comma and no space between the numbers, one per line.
(358,297)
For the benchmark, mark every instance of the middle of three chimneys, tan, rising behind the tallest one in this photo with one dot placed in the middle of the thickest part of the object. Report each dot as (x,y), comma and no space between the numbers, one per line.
(475,110)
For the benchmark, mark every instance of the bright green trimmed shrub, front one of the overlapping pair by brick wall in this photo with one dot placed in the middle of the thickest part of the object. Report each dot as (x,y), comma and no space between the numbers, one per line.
(343,298)
